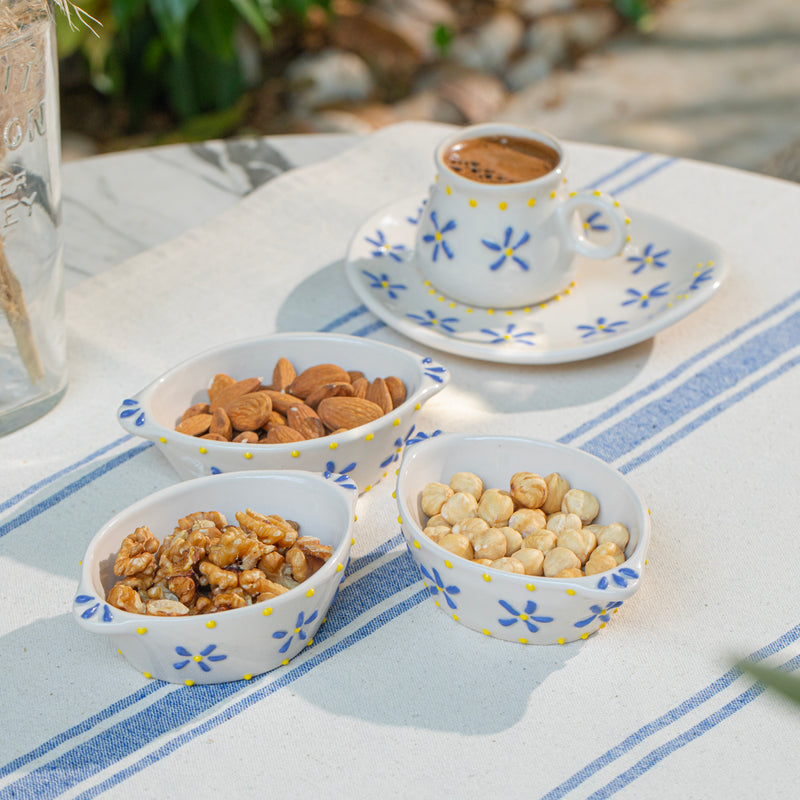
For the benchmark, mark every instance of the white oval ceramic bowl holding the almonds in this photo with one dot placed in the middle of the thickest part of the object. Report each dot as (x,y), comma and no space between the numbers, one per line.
(365,453)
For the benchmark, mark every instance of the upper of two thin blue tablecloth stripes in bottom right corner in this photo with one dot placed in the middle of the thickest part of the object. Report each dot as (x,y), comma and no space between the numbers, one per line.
(671,716)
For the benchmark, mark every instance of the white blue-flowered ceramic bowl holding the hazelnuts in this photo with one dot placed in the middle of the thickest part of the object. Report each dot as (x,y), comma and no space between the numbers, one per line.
(513,607)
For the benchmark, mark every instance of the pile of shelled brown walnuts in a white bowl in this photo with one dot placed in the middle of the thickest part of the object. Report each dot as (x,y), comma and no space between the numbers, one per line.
(206,565)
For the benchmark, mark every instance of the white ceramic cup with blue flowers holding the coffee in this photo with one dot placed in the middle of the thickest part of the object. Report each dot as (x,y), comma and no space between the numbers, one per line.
(511,244)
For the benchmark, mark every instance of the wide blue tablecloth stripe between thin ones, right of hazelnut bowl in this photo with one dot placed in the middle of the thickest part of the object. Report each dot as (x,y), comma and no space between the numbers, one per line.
(711,381)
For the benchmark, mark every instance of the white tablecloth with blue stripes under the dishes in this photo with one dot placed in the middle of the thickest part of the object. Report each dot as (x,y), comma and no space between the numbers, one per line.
(396,700)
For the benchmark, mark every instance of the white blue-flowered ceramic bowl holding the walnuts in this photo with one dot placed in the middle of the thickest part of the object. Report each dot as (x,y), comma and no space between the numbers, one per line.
(238,643)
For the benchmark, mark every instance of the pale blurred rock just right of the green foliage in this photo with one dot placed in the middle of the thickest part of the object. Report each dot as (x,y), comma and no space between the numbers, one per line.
(329,77)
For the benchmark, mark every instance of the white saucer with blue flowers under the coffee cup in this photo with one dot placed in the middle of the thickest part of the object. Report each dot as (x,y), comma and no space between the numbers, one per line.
(664,273)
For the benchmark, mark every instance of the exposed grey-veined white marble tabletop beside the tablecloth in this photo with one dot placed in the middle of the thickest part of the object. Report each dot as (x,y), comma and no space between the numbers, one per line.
(120,204)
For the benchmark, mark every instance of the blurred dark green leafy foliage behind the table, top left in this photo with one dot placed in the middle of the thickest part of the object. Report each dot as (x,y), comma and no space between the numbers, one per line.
(178,56)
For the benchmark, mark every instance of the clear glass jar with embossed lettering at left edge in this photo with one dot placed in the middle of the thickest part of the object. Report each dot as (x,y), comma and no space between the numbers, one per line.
(33,374)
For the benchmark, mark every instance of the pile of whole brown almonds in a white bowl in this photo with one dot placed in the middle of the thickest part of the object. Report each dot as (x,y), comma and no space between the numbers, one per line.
(319,401)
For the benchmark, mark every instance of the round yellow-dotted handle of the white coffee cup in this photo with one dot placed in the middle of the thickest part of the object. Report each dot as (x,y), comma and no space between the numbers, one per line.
(606,215)
